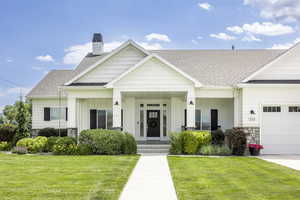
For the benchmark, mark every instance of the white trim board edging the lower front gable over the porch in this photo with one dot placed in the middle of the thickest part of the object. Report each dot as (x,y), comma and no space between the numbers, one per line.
(110,84)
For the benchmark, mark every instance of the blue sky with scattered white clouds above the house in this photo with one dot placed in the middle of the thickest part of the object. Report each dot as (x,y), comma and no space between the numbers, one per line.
(38,36)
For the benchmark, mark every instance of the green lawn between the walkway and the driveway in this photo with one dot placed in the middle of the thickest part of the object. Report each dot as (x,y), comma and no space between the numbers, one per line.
(233,178)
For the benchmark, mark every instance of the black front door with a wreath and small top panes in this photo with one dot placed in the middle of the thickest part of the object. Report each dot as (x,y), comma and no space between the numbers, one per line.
(153,122)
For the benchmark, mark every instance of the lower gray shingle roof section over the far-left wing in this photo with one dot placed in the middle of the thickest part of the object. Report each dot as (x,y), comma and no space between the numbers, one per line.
(48,86)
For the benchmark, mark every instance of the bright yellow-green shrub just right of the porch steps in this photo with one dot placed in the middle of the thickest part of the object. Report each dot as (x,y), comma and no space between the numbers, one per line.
(193,140)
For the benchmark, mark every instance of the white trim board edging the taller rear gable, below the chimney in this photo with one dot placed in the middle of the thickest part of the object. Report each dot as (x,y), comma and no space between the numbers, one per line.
(114,52)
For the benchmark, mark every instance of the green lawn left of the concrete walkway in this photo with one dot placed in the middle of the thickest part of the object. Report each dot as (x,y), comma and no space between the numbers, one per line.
(36,177)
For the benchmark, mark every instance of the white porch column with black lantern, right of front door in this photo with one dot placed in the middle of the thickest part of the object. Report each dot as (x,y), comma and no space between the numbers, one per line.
(190,109)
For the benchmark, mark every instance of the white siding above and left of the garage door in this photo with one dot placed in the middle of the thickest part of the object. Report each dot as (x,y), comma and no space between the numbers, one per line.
(253,98)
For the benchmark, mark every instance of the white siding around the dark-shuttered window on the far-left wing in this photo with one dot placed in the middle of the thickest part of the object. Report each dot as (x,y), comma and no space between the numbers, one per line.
(38,106)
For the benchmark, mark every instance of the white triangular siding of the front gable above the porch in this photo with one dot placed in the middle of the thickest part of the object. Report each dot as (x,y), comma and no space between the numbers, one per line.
(153,74)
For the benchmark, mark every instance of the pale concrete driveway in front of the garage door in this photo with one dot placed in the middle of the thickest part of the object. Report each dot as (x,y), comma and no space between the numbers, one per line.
(291,161)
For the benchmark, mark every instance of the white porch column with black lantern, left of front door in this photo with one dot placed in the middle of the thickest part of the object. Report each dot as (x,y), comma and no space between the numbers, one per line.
(117,107)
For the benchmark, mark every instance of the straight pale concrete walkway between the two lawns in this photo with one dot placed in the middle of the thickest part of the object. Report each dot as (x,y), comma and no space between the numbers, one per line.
(150,180)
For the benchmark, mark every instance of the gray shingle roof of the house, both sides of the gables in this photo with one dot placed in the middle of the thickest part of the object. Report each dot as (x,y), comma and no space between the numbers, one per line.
(209,67)
